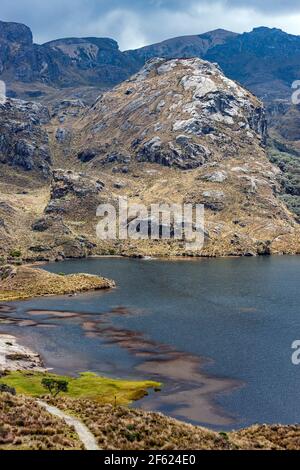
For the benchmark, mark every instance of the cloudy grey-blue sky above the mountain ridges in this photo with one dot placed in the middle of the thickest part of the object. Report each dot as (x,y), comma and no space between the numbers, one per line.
(135,23)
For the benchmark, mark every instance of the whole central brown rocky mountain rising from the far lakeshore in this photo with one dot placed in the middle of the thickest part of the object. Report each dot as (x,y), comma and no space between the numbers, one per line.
(179,131)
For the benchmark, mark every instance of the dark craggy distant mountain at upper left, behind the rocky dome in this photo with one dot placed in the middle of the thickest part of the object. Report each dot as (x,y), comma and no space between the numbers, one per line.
(69,62)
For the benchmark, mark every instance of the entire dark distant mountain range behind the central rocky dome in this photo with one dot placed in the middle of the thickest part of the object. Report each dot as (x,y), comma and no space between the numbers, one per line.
(265,60)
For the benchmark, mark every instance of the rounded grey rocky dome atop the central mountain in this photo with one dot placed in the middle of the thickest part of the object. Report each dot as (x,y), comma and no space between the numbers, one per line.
(179,112)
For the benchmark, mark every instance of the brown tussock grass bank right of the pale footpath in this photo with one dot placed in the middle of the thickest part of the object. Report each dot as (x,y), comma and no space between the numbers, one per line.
(122,428)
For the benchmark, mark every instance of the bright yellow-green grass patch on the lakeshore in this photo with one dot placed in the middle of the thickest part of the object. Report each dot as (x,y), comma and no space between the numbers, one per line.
(87,385)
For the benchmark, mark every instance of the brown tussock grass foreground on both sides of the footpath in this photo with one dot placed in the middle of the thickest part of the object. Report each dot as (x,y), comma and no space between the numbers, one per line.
(26,426)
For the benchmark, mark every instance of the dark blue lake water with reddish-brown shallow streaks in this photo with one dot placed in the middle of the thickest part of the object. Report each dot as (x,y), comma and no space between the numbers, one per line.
(217,333)
